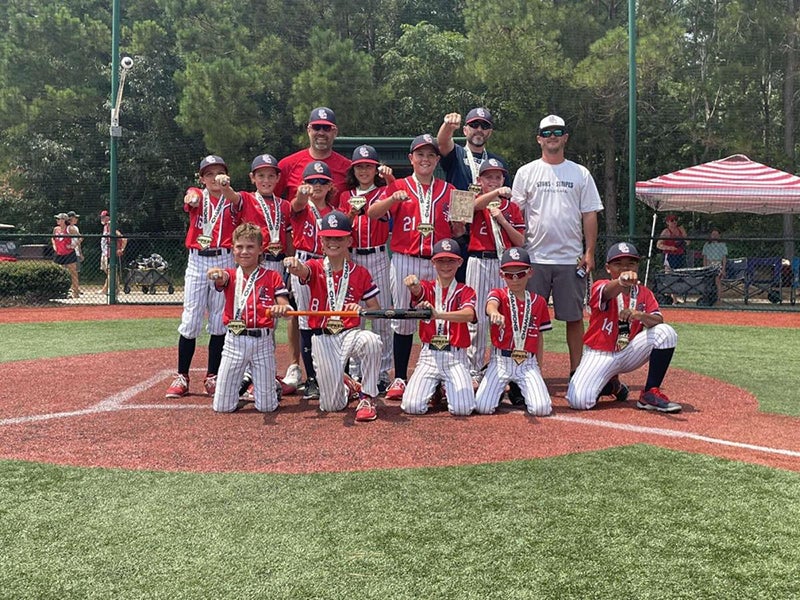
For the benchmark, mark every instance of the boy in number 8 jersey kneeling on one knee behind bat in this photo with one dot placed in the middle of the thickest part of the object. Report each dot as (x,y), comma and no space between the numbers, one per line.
(336,283)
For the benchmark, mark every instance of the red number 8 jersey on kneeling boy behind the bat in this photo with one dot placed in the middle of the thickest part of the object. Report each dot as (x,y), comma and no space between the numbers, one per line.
(360,287)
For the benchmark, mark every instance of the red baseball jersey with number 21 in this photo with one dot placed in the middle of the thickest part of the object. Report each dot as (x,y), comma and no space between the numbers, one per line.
(406,239)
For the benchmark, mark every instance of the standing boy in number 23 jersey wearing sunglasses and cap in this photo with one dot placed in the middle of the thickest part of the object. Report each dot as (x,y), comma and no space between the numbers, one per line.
(313,201)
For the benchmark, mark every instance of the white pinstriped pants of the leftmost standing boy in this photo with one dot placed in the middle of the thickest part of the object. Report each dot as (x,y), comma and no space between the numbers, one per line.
(200,298)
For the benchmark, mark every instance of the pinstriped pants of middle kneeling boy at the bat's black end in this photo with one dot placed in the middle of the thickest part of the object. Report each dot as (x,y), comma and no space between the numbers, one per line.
(447,366)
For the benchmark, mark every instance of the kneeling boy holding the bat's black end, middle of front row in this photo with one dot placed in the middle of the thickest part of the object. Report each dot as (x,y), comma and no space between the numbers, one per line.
(445,338)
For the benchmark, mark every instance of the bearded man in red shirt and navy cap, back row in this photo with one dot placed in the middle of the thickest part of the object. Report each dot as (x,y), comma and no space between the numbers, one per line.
(322,131)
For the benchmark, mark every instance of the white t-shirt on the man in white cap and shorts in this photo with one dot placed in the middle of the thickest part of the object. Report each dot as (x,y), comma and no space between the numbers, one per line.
(553,199)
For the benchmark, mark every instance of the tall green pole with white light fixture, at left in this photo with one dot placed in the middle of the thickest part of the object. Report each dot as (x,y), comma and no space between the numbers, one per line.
(115,131)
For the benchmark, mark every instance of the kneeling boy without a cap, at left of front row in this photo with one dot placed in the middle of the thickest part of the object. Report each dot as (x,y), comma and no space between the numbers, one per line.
(253,296)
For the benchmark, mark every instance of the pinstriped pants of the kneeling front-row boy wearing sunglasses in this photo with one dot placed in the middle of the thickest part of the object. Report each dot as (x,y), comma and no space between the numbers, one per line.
(526,375)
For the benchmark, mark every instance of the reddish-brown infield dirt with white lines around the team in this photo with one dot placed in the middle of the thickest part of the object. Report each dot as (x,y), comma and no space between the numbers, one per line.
(118,417)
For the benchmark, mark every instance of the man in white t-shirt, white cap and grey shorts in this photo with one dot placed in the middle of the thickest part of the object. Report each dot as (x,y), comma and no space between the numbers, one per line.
(560,202)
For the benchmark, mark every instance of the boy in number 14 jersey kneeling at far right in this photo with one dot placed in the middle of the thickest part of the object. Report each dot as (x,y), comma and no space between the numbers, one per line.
(626,330)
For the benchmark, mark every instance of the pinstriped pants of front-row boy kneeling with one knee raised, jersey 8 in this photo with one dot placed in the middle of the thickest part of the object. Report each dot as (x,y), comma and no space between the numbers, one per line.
(331,353)
